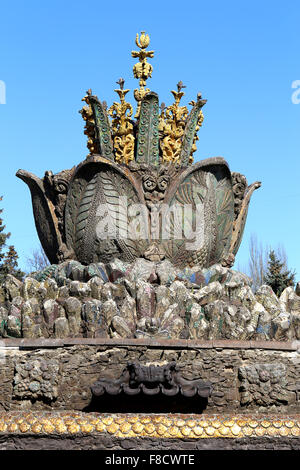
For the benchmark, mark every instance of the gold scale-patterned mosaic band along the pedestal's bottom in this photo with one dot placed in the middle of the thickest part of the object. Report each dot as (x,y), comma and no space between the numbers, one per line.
(155,426)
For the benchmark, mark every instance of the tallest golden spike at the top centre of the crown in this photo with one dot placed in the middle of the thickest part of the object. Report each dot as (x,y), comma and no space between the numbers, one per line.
(142,70)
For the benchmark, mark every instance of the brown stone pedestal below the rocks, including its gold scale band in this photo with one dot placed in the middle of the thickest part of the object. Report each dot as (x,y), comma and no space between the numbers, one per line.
(47,402)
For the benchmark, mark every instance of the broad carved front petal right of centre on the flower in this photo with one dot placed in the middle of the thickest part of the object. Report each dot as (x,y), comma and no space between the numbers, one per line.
(204,194)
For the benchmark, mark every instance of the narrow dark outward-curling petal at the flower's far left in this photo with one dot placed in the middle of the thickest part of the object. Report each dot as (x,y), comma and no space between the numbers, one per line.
(44,216)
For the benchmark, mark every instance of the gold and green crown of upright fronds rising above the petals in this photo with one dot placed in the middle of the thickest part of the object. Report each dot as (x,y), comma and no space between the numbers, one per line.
(155,138)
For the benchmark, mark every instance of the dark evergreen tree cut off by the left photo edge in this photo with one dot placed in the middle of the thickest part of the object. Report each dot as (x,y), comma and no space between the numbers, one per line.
(8,255)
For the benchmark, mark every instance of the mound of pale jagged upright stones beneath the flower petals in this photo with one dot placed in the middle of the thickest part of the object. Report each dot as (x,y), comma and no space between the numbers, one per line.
(145,300)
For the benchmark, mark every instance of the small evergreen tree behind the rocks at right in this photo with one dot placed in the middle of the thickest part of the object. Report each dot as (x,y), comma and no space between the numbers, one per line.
(278,276)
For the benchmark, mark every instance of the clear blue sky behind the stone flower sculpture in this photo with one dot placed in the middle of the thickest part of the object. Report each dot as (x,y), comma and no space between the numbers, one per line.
(242,56)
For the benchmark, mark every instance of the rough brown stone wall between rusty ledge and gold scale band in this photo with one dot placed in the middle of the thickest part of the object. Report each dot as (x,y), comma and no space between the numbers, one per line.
(41,374)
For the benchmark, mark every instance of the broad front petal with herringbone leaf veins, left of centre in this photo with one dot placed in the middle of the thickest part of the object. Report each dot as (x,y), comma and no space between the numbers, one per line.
(100,198)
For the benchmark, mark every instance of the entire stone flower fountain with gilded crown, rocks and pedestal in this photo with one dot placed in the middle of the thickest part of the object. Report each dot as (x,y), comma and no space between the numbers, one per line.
(140,311)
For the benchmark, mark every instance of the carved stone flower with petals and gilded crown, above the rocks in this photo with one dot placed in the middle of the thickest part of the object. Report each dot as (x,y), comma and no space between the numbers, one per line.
(137,193)
